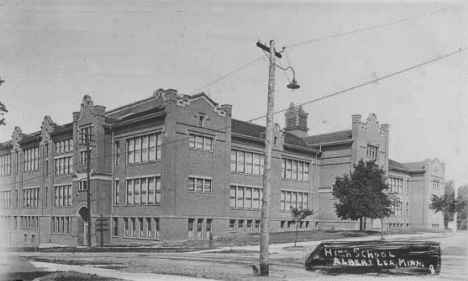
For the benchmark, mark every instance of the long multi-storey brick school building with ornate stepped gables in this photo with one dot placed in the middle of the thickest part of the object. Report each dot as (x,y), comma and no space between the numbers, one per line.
(174,167)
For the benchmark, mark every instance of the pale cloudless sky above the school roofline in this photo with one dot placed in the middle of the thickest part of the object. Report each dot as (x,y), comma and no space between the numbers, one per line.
(51,55)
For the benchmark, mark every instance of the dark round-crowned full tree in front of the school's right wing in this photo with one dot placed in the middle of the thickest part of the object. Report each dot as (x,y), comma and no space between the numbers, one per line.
(362,194)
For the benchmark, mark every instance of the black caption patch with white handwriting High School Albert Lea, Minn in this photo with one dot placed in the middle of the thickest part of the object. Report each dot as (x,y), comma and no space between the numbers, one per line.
(393,257)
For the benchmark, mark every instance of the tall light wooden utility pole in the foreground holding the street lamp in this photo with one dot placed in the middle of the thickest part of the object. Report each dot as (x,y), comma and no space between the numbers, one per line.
(265,218)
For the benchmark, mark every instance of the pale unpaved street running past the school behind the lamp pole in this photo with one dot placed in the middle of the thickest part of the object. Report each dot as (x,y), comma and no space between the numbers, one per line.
(287,262)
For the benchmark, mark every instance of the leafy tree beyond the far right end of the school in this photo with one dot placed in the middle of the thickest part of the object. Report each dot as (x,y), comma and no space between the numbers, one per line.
(447,204)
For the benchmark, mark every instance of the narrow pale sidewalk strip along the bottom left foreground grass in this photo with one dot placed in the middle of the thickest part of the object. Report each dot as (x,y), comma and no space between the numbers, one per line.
(52,267)
